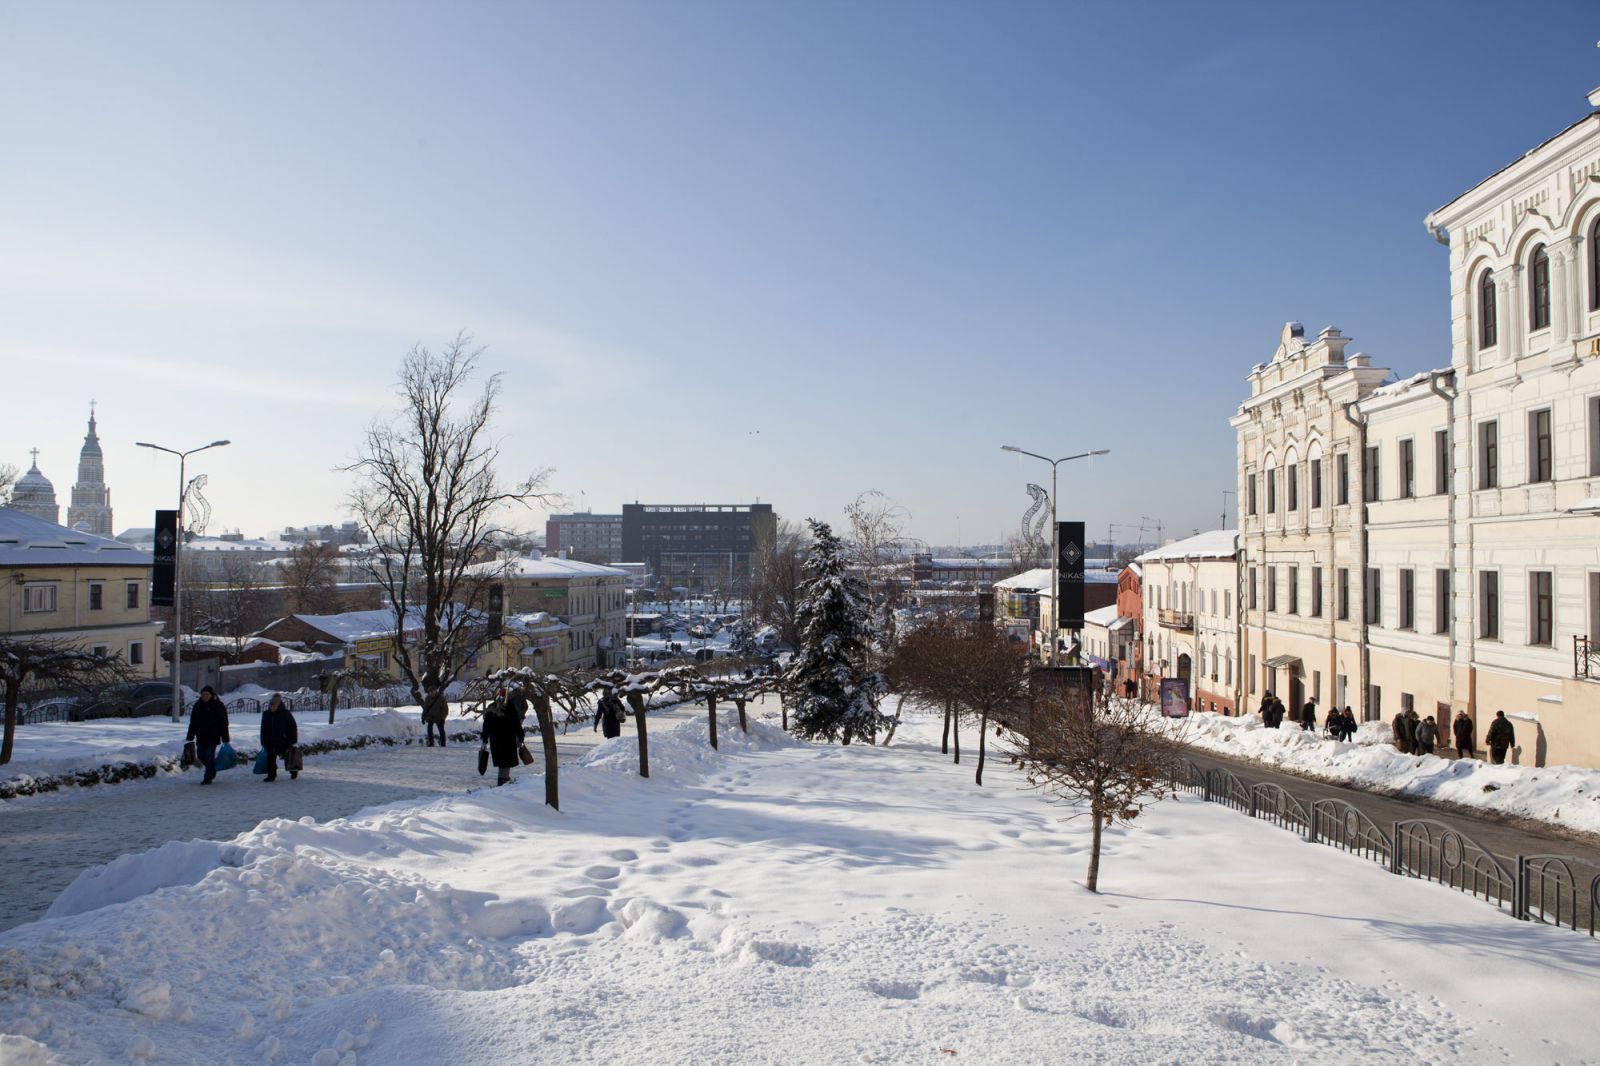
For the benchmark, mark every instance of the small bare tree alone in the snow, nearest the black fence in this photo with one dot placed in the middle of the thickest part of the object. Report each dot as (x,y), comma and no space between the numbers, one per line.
(1110,755)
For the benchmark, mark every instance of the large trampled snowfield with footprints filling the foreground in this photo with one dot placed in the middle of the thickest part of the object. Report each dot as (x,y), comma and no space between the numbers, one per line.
(782,902)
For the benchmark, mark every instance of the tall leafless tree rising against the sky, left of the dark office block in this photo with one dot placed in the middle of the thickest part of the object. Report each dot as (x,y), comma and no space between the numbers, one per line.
(428,494)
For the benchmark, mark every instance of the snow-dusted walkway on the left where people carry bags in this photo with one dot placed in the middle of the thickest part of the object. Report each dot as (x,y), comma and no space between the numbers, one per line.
(46,841)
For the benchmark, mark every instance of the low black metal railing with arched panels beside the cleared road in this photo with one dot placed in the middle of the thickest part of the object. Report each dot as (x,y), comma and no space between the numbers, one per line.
(1545,889)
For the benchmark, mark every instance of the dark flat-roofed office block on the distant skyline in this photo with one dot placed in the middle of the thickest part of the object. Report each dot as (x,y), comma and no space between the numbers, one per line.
(698,547)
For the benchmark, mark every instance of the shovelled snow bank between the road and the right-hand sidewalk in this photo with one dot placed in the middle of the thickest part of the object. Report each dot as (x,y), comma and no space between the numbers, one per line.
(1559,796)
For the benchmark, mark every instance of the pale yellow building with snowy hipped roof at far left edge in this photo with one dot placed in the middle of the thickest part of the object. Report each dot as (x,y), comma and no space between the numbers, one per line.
(87,590)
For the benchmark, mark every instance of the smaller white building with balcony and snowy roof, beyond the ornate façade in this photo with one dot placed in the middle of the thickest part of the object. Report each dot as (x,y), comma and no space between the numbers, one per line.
(1191,619)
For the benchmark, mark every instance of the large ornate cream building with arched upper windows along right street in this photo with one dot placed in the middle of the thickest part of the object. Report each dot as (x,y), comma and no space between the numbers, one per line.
(1434,543)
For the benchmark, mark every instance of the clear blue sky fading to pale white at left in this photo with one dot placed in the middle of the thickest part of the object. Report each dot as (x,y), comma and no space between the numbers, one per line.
(735,250)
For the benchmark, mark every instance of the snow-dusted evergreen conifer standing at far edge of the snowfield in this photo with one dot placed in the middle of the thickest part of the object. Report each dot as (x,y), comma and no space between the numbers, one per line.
(830,686)
